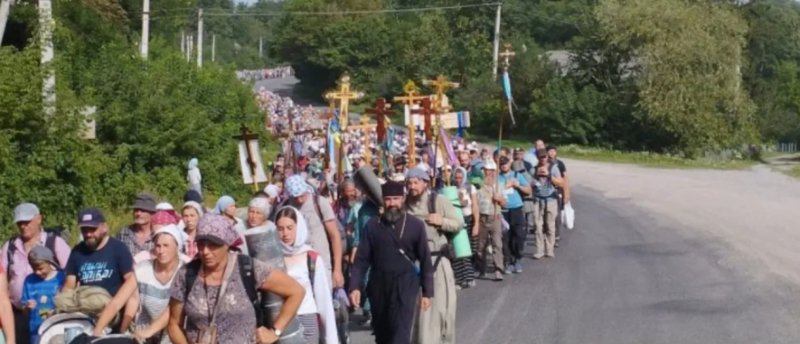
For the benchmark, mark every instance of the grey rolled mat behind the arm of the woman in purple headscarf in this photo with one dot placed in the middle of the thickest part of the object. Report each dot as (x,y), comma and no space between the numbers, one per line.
(262,244)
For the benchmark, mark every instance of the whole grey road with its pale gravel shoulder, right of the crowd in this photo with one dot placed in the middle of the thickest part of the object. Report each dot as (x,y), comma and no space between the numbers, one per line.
(657,256)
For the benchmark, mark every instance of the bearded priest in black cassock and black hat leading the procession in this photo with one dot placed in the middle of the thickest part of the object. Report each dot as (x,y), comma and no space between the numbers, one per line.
(395,246)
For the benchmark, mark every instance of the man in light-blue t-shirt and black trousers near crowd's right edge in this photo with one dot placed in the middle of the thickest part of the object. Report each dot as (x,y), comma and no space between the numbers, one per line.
(513,186)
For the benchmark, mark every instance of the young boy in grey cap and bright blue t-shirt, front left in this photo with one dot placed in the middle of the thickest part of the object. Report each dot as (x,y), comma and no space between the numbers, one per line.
(40,287)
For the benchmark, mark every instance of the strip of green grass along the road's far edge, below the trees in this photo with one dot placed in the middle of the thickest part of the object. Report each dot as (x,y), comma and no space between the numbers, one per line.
(639,158)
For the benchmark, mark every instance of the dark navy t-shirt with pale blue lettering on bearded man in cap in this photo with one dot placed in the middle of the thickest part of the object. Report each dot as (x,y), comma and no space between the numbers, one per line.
(103,268)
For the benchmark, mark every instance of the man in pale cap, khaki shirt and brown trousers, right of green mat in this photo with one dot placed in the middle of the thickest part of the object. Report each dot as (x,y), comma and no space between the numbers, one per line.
(490,203)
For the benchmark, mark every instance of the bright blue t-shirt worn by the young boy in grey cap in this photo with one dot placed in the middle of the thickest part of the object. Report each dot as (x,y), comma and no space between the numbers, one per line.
(42,292)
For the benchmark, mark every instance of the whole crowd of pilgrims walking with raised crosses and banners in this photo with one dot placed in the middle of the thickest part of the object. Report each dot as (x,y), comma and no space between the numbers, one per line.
(356,222)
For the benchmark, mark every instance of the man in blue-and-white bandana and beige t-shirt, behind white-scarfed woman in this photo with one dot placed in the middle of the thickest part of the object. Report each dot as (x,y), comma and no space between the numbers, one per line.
(323,231)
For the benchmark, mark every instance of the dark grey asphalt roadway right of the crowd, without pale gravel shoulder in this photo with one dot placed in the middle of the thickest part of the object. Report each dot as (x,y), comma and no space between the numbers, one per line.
(626,275)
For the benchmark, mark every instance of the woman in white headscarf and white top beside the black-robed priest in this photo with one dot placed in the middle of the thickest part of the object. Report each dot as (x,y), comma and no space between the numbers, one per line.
(316,311)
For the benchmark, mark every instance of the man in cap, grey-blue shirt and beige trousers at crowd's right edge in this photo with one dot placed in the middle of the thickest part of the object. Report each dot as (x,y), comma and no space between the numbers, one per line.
(546,181)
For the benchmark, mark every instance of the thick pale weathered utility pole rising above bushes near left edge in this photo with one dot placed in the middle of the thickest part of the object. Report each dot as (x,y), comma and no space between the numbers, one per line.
(46,42)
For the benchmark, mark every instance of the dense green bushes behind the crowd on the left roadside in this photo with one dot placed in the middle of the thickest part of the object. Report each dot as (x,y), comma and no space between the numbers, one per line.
(152,117)
